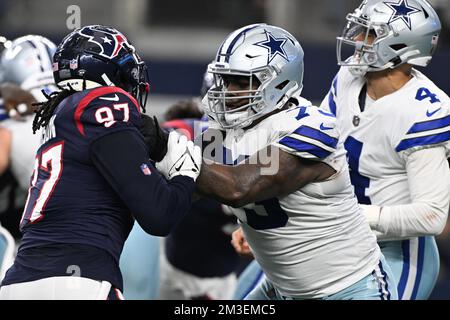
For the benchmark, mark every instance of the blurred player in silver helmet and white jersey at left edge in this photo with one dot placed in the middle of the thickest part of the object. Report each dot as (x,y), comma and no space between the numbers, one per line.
(26,69)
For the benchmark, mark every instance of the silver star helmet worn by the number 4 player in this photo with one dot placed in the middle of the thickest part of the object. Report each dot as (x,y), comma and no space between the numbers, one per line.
(385,34)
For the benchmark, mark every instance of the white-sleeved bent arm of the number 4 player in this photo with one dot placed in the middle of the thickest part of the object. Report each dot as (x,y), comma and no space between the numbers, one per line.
(426,214)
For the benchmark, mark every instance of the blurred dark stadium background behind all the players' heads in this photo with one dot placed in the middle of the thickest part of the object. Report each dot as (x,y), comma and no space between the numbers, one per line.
(178,38)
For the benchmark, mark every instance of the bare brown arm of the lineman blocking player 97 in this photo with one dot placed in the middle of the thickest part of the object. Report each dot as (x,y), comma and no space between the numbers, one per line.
(255,181)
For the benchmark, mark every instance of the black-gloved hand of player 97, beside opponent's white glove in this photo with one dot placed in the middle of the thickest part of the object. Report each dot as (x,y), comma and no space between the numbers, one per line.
(155,137)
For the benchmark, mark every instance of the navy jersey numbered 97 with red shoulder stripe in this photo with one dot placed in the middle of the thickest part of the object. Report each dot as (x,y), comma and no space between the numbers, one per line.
(70,202)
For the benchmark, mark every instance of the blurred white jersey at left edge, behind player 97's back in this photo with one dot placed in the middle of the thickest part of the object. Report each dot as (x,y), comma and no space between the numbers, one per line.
(23,149)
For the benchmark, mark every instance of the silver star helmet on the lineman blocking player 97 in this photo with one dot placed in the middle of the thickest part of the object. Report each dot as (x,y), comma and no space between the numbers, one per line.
(266,52)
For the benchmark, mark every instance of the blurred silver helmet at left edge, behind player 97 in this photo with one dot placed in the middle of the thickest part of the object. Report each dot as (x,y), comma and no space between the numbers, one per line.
(27,62)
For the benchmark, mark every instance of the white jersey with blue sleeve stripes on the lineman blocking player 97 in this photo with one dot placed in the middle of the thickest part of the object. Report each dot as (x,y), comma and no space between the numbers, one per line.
(313,242)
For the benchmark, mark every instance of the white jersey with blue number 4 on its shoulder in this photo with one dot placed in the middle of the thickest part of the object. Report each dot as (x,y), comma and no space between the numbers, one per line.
(380,139)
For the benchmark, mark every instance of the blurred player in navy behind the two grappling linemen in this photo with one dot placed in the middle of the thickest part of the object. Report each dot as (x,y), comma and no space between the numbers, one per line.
(198,261)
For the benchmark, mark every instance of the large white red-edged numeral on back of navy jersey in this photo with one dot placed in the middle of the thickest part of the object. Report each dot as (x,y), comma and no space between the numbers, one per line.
(47,171)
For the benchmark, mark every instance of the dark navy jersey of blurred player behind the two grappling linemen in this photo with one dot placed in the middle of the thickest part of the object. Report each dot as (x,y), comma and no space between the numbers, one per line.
(206,219)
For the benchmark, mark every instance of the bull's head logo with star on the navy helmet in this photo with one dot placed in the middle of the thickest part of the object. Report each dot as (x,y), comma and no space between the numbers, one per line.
(109,43)
